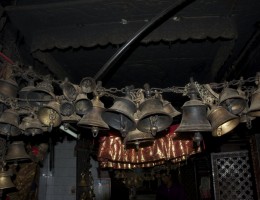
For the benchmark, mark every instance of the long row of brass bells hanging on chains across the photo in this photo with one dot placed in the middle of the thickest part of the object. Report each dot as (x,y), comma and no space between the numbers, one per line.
(34,108)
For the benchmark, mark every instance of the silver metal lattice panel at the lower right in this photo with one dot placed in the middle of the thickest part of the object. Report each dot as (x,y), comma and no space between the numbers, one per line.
(232,176)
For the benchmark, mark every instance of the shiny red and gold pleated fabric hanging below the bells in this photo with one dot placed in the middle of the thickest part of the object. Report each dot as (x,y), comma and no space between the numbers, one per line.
(112,152)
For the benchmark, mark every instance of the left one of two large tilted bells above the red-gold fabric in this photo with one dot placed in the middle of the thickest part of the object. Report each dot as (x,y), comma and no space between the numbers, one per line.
(121,115)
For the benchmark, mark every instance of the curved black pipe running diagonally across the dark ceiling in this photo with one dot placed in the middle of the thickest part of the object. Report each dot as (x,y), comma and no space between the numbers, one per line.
(176,6)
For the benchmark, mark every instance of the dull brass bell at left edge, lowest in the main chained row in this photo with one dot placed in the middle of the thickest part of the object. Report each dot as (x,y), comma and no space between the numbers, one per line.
(9,123)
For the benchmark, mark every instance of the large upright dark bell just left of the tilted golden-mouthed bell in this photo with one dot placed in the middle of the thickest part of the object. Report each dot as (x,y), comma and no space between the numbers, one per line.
(194,117)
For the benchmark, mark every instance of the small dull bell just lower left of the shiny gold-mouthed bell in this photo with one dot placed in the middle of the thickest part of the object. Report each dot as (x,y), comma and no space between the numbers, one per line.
(31,125)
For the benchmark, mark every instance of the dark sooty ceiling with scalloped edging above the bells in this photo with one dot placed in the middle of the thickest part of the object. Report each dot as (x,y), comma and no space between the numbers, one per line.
(211,41)
